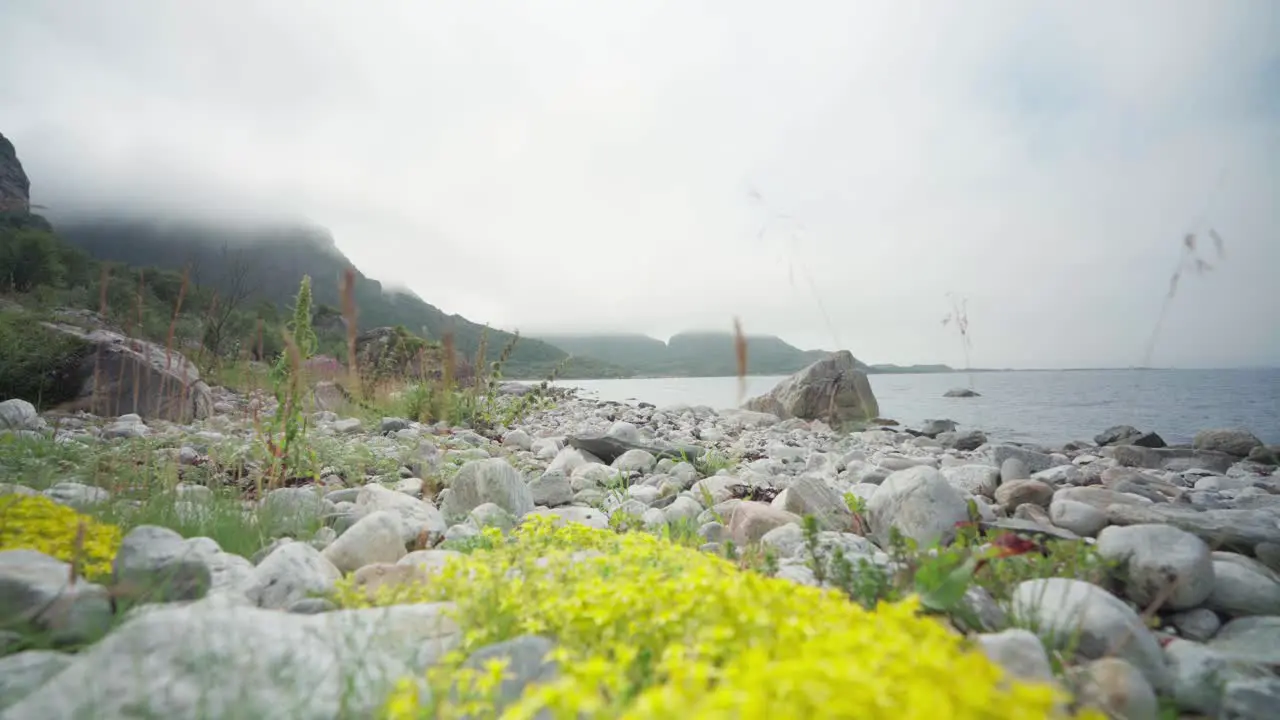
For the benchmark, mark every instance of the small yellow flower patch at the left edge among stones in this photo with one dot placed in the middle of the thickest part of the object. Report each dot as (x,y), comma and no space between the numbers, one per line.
(39,523)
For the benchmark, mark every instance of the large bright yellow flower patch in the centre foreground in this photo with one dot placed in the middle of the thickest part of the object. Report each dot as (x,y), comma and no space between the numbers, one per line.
(648,630)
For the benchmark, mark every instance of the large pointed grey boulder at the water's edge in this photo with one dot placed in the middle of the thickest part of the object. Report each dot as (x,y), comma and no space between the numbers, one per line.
(831,390)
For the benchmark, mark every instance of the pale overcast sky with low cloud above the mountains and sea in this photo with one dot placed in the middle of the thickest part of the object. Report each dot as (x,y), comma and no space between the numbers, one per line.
(836,174)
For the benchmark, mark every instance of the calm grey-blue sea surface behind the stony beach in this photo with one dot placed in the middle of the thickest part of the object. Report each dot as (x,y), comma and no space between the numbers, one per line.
(1046,407)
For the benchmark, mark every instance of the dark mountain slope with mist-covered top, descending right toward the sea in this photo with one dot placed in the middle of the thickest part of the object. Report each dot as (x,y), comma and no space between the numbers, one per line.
(266,263)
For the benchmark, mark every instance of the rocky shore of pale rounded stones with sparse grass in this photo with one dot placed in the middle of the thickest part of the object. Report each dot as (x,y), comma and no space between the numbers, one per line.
(1183,622)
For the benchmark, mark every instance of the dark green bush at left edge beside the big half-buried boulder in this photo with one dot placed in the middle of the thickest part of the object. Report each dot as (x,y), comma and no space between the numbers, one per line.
(39,364)
